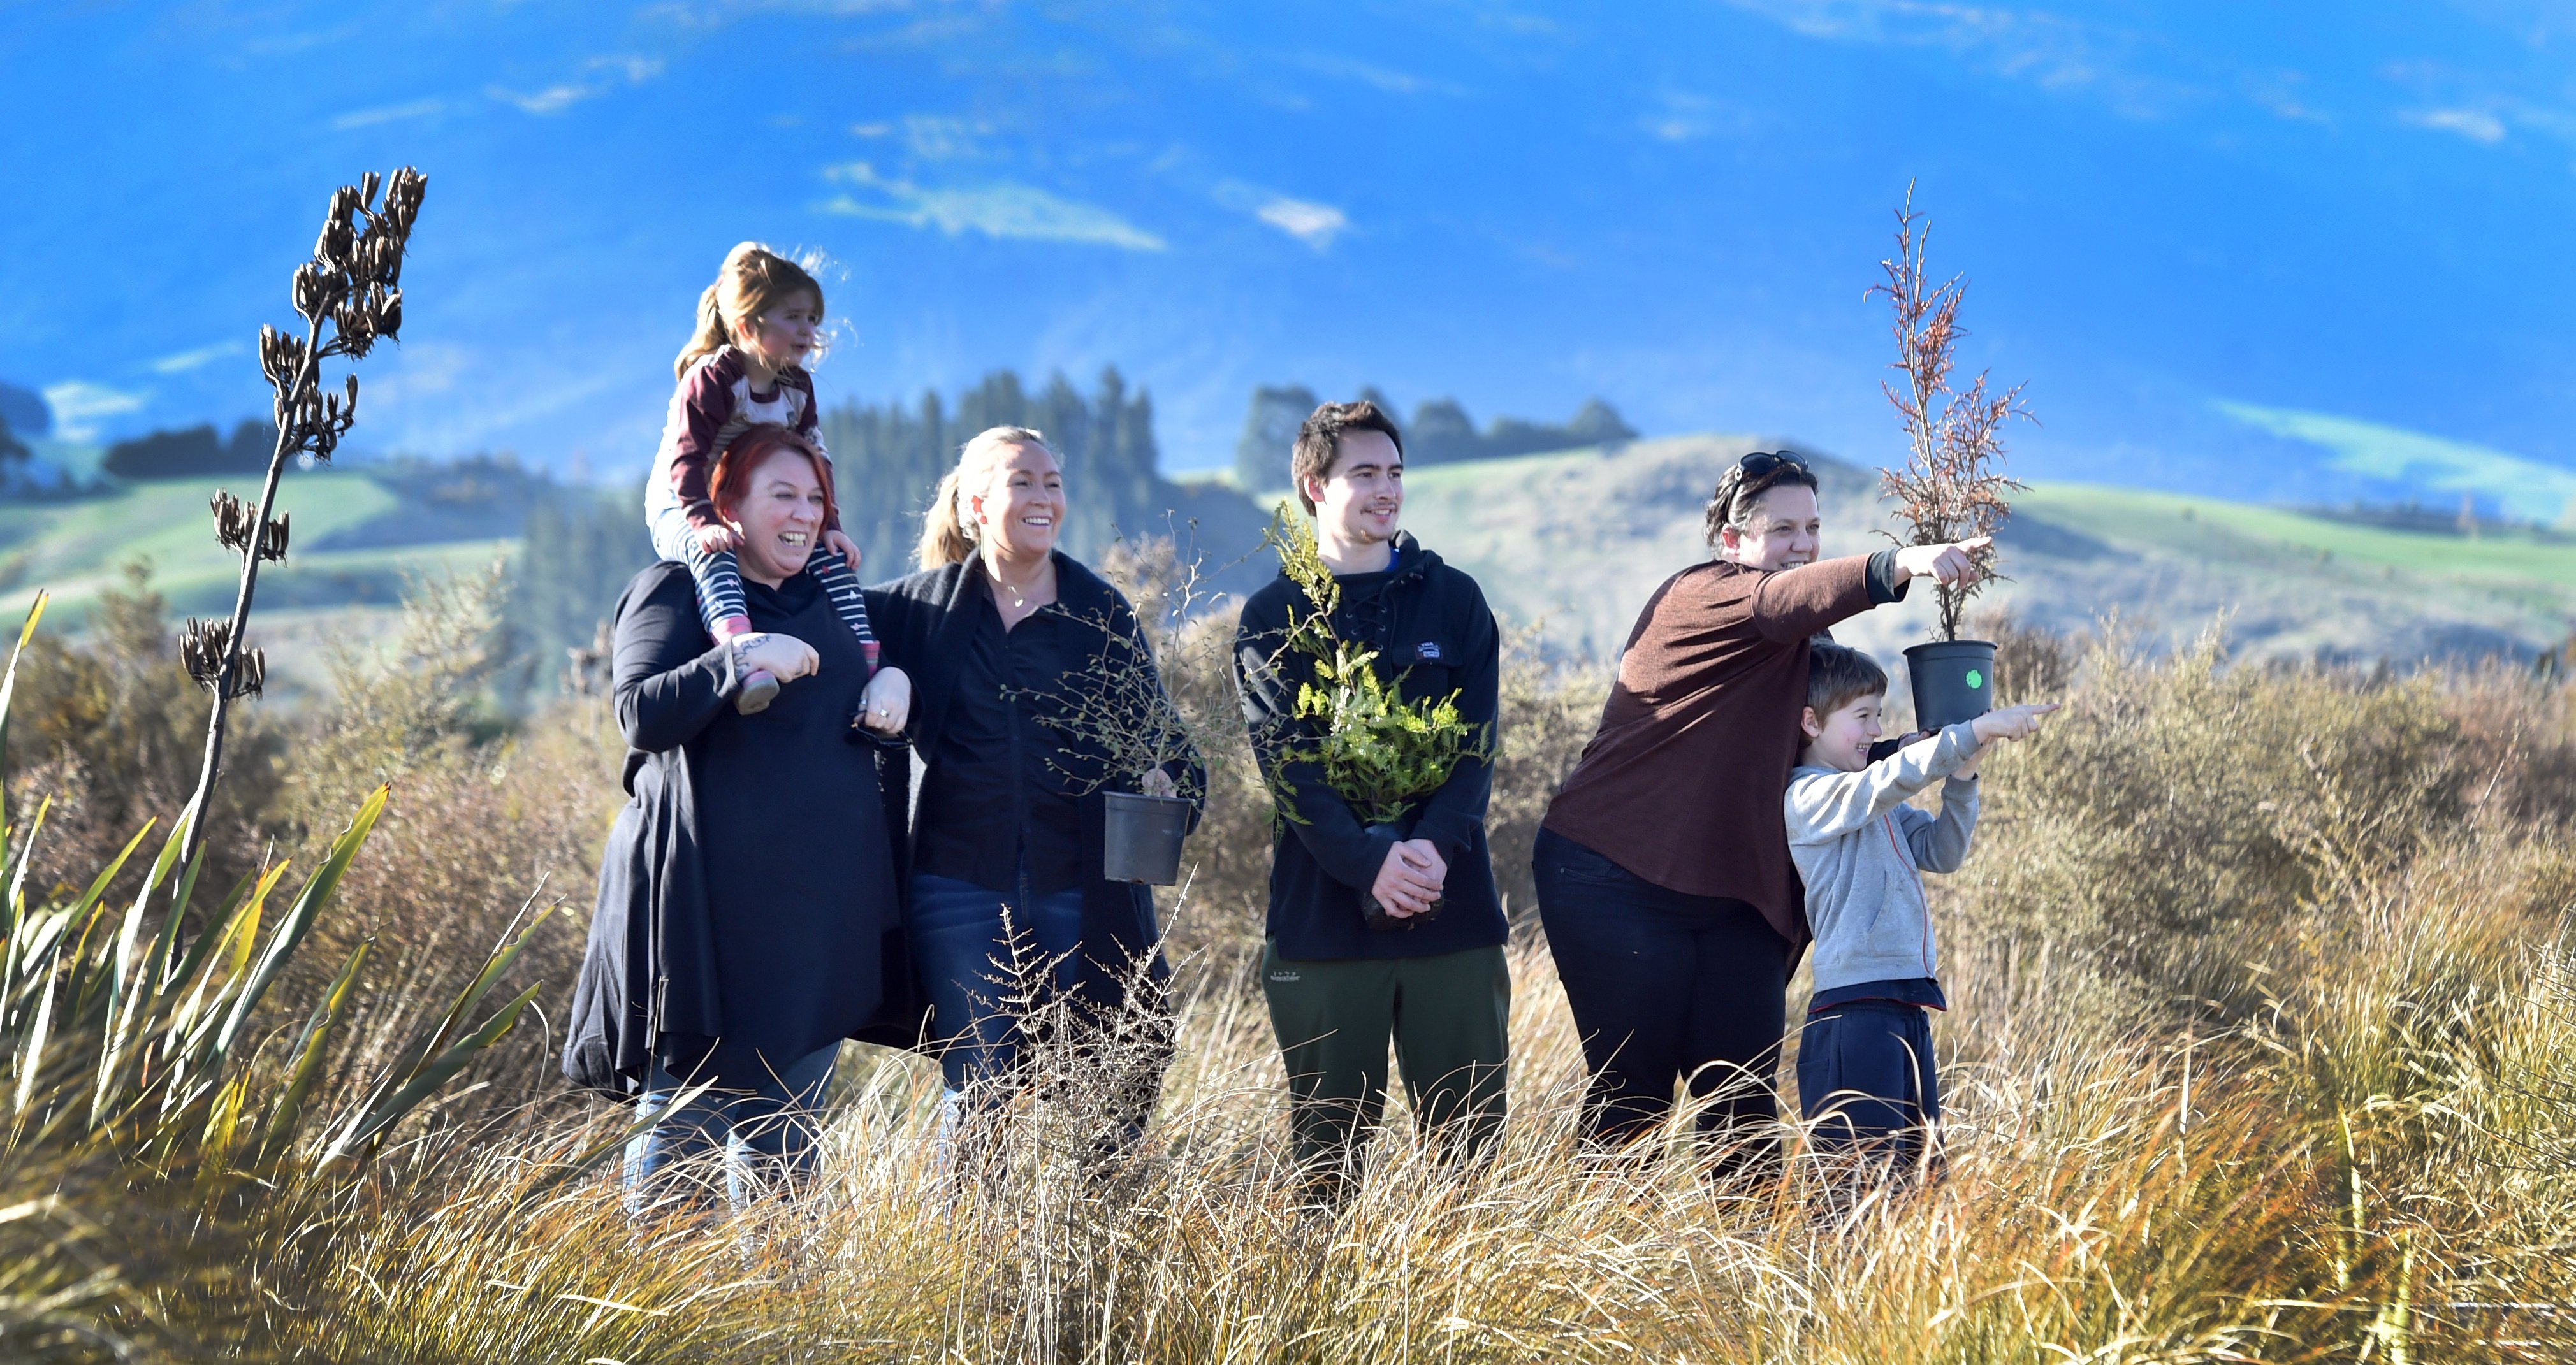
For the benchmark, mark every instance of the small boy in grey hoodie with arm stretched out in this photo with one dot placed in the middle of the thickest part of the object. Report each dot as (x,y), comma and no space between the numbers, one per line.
(1866,1052)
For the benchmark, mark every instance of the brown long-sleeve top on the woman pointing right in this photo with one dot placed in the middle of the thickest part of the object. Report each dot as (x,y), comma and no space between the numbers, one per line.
(1701,730)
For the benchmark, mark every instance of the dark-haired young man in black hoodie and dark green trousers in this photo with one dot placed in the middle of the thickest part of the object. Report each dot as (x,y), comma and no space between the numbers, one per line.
(1434,983)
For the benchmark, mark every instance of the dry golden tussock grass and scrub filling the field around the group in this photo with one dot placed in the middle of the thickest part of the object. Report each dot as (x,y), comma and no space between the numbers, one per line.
(2263,1047)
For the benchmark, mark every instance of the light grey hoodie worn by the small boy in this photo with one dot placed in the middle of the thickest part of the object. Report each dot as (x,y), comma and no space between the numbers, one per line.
(1861,854)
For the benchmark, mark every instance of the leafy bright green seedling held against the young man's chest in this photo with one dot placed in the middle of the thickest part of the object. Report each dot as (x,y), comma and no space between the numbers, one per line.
(1379,753)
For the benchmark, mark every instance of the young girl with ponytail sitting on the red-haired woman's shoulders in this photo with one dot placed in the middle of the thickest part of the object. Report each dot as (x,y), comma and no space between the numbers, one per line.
(746,364)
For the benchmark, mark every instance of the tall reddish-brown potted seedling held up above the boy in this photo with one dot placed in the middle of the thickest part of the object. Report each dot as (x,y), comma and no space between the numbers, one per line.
(1949,488)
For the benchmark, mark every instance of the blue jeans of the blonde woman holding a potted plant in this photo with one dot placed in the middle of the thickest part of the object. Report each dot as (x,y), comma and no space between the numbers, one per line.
(983,975)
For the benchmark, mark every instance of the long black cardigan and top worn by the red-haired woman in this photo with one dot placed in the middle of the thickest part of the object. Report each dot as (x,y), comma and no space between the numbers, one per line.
(679,954)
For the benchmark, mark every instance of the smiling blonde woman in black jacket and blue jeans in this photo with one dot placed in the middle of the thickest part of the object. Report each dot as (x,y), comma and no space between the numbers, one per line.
(1001,630)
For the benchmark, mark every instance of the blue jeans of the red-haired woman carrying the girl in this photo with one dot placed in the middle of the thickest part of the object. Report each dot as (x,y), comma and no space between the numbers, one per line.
(759,1116)
